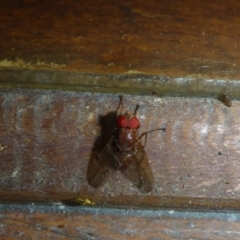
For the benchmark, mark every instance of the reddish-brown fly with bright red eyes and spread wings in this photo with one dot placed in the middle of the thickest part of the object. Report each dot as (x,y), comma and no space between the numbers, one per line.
(124,152)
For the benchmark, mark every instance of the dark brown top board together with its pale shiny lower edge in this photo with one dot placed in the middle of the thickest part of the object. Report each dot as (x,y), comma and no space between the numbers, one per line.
(178,49)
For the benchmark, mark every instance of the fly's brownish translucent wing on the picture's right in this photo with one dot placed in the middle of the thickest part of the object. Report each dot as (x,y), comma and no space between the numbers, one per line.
(138,169)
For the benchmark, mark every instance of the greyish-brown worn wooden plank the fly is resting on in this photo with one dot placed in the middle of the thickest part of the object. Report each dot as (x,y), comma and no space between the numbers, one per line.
(47,138)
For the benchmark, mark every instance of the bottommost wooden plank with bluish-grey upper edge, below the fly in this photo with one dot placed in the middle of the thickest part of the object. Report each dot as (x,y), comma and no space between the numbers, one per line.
(30,222)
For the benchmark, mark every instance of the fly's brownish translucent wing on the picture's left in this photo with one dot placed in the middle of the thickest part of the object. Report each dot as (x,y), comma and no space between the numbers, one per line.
(100,167)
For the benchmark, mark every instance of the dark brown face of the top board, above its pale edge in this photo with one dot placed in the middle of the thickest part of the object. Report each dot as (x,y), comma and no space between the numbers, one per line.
(171,39)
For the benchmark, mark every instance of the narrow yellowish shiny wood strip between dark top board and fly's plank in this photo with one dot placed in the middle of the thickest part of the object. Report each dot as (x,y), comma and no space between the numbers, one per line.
(138,84)
